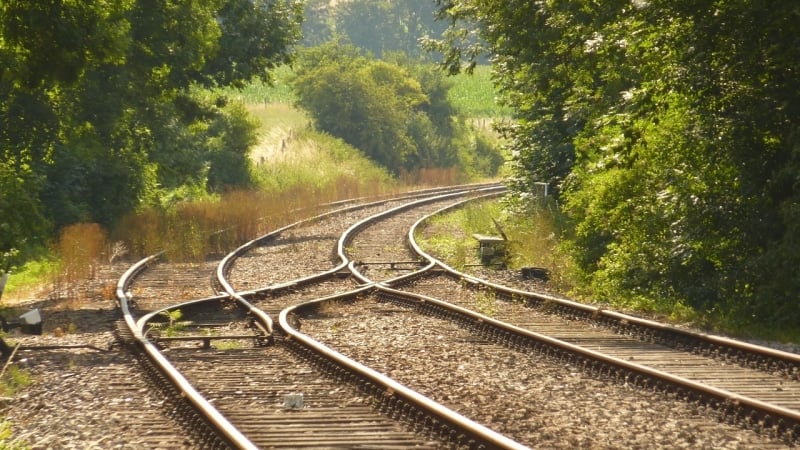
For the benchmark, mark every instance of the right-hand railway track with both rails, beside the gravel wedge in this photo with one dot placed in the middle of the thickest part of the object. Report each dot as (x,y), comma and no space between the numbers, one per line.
(763,394)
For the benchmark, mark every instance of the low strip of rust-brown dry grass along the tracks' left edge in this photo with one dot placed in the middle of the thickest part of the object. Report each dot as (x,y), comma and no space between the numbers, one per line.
(194,231)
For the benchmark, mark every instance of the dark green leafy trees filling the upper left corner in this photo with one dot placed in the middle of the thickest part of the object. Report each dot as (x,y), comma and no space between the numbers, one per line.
(97,107)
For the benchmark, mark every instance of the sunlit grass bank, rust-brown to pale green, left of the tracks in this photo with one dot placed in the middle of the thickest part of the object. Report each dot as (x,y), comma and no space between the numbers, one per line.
(308,169)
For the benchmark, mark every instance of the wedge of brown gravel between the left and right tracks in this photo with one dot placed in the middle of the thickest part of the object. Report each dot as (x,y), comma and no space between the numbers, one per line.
(527,397)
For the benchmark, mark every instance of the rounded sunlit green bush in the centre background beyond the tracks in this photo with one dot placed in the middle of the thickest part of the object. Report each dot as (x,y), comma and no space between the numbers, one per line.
(394,110)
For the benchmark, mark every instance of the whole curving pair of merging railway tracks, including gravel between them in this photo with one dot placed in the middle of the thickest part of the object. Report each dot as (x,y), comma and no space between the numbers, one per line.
(239,370)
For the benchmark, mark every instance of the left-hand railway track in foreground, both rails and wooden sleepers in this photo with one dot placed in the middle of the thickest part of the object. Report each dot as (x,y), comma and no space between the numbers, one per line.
(233,381)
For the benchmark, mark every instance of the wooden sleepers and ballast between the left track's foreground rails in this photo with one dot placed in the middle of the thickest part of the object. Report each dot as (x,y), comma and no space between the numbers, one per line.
(279,401)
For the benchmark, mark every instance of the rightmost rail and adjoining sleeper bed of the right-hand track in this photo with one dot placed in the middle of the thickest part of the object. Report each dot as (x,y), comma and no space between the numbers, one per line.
(769,375)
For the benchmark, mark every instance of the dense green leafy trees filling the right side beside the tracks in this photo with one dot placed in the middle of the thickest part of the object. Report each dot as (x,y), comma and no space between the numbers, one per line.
(669,130)
